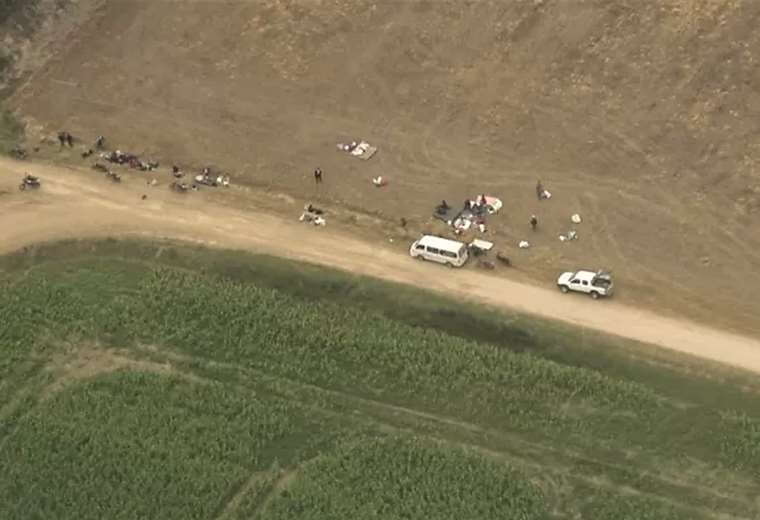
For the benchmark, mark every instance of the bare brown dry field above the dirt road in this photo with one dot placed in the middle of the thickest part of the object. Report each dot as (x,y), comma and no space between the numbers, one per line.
(641,116)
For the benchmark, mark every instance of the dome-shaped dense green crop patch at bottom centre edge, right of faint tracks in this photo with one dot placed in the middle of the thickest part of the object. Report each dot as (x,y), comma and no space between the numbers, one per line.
(402,477)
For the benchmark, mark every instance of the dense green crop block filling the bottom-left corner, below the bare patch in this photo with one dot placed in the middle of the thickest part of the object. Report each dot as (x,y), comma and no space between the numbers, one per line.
(137,445)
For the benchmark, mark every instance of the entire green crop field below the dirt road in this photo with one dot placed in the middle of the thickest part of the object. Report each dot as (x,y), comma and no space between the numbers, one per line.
(167,381)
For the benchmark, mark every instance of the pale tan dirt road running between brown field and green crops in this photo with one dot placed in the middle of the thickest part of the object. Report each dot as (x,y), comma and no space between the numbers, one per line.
(81,204)
